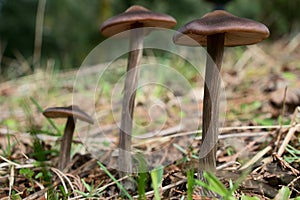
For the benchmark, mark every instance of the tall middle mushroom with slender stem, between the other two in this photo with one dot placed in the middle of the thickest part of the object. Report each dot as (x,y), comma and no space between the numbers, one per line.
(134,18)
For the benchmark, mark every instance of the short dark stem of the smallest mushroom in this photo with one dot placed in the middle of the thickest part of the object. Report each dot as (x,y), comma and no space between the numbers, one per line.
(65,147)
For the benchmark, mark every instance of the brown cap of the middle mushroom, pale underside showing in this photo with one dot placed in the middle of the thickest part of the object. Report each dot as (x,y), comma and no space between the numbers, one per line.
(135,17)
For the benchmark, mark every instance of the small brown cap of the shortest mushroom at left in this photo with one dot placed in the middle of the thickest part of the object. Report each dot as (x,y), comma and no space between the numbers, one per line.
(65,112)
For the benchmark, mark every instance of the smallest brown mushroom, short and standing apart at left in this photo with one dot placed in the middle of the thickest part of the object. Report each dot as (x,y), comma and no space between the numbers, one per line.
(72,113)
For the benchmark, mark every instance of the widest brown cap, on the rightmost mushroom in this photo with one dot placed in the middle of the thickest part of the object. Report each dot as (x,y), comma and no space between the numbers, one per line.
(238,31)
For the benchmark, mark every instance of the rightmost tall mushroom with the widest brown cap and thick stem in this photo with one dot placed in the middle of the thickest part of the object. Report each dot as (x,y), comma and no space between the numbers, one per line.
(216,30)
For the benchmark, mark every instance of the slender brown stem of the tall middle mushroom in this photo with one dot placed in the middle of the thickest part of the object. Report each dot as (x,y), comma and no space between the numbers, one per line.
(131,82)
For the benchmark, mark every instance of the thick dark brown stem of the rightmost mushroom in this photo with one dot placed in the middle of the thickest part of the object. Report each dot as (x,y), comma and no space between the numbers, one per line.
(210,121)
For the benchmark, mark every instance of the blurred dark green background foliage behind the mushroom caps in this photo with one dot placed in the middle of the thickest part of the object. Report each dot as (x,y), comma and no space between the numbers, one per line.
(70,29)
